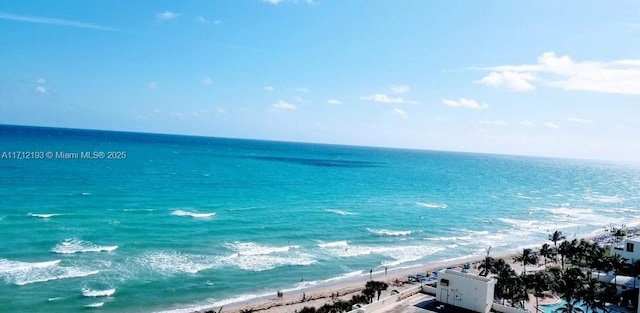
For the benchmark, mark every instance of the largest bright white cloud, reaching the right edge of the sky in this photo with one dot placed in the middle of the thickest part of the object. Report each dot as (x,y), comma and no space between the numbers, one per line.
(619,77)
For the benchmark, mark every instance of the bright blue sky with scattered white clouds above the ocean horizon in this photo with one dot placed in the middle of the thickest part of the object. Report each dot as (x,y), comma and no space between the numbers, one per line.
(538,78)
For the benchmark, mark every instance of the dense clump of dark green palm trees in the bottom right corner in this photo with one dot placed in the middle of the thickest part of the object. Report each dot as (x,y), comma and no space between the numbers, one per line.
(573,281)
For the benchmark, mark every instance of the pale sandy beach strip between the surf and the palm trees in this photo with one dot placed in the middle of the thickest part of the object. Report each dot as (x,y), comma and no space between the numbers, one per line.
(328,292)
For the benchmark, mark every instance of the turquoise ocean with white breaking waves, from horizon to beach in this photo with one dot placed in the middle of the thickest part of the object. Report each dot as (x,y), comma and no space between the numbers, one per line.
(192,221)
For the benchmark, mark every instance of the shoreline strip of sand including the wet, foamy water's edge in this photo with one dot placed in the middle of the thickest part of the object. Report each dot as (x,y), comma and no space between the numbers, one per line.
(316,294)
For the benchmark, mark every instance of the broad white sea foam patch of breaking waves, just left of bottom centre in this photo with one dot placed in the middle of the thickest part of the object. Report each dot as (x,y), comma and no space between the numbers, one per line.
(251,256)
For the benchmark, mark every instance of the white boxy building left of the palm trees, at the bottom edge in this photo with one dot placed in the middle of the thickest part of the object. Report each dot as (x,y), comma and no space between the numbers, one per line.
(466,291)
